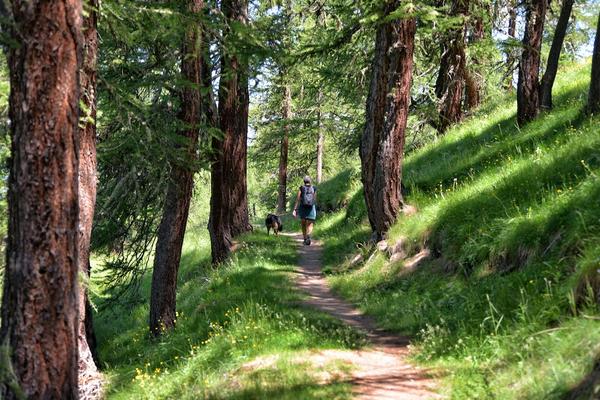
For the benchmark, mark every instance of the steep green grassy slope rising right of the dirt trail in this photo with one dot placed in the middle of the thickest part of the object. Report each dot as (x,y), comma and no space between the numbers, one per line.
(513,219)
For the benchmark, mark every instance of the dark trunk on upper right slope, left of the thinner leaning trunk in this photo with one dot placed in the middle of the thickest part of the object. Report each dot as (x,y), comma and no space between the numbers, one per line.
(528,87)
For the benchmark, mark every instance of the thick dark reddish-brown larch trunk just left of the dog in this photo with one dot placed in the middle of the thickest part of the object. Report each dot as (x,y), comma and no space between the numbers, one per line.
(229,194)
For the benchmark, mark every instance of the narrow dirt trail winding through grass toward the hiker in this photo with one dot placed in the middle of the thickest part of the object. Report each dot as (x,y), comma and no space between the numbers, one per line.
(382,372)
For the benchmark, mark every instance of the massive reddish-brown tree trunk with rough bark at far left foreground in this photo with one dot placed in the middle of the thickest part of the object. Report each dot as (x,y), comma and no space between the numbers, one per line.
(40,299)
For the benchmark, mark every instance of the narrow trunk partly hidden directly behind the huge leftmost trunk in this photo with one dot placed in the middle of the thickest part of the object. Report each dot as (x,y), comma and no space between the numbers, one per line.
(88,358)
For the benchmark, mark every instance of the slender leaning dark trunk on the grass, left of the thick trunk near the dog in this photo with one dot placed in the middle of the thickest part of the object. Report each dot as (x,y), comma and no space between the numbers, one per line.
(177,202)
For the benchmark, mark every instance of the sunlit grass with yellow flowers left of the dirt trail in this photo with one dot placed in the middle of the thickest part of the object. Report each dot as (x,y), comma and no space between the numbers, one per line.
(228,316)
